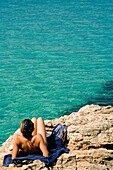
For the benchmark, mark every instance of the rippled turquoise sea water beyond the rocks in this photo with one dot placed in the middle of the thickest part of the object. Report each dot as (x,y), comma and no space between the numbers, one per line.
(55,56)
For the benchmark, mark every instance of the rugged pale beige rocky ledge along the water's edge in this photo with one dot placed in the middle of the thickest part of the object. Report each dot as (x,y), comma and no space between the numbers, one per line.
(90,140)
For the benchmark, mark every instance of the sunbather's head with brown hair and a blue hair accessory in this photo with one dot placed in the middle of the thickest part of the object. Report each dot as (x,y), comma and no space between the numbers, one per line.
(27,127)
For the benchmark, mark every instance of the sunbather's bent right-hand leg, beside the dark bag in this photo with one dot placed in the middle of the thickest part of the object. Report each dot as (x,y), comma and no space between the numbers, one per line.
(41,129)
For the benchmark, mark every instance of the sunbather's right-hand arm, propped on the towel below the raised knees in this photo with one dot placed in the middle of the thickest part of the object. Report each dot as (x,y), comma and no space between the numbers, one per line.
(42,145)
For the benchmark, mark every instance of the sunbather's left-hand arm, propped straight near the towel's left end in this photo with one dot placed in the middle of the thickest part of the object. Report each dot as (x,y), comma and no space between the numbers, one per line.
(15,147)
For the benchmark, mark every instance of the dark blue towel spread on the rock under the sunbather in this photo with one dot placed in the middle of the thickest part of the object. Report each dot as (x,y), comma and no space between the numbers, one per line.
(55,147)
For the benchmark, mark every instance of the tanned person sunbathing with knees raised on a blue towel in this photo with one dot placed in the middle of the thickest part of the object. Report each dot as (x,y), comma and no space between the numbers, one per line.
(33,140)
